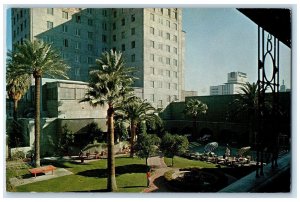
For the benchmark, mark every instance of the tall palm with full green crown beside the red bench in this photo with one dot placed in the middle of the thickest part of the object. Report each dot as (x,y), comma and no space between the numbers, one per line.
(37,58)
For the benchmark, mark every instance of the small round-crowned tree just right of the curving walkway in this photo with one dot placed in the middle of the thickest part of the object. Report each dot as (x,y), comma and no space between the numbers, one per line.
(172,145)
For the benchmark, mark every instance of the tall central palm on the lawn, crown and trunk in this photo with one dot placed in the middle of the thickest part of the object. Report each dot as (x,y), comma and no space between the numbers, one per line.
(109,84)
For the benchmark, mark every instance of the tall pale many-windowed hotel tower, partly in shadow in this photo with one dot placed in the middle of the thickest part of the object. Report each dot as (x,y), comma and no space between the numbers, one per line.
(151,39)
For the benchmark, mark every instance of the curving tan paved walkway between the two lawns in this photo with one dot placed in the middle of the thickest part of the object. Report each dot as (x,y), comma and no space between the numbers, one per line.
(157,183)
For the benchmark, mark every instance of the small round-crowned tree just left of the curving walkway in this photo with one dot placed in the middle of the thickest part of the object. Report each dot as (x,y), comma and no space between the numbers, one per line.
(146,146)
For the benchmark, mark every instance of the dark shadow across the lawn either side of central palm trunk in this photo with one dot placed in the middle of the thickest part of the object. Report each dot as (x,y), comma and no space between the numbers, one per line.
(102,173)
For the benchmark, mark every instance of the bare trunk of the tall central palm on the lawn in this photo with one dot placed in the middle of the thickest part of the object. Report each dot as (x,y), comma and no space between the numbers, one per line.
(111,179)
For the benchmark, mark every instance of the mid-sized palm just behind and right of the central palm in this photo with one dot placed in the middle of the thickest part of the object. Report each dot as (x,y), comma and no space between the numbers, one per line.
(136,111)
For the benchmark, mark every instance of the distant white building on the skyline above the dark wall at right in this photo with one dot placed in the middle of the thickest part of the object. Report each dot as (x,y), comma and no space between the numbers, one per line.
(233,85)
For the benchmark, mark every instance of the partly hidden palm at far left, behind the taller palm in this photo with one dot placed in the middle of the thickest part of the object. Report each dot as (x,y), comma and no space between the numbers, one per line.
(16,87)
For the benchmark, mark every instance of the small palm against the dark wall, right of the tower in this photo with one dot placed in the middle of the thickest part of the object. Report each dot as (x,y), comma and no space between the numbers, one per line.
(195,108)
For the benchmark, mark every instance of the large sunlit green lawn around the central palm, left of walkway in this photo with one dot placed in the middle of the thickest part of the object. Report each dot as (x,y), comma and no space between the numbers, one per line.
(91,177)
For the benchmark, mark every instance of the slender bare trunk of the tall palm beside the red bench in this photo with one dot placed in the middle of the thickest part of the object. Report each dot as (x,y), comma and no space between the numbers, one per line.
(37,123)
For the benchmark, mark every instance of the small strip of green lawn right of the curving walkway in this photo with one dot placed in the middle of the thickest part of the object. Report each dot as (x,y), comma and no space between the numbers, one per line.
(180,162)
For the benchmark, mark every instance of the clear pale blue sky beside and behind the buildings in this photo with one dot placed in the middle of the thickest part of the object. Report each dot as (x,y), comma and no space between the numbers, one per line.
(218,41)
